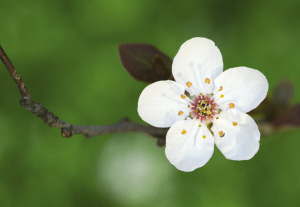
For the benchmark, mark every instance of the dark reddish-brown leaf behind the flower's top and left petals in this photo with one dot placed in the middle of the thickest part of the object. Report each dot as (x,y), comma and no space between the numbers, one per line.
(145,62)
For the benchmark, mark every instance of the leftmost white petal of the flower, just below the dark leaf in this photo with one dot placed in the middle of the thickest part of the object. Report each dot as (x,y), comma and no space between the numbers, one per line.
(160,102)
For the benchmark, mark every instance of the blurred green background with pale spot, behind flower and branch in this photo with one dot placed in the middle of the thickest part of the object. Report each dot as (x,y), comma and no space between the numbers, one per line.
(66,53)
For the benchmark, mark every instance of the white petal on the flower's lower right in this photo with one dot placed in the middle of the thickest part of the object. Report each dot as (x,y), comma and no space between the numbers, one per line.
(240,142)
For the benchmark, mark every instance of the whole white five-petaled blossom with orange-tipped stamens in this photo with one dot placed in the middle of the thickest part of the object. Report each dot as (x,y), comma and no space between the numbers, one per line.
(222,98)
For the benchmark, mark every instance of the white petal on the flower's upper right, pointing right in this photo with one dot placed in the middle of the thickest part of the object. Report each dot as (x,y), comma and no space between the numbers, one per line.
(245,87)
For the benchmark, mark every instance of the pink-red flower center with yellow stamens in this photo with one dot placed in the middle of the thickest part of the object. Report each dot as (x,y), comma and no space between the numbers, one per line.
(203,108)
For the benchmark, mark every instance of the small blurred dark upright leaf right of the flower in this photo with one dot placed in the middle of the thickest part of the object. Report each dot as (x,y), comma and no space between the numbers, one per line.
(283,93)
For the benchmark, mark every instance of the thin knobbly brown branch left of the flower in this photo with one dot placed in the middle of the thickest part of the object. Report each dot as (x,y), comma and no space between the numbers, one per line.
(67,130)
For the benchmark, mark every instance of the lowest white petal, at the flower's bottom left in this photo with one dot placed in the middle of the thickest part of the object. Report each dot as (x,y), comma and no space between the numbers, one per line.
(189,151)
